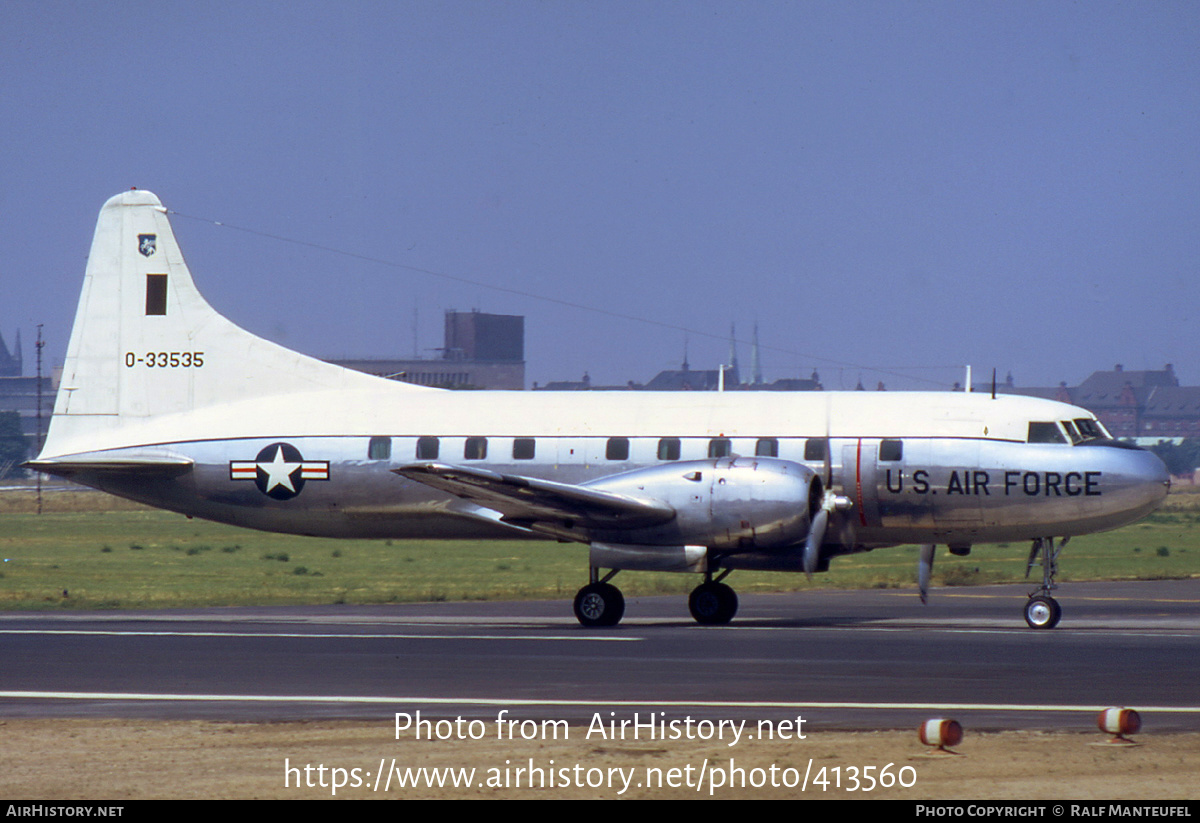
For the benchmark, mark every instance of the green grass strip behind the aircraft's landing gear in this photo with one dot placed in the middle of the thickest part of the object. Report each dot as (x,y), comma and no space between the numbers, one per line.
(153,560)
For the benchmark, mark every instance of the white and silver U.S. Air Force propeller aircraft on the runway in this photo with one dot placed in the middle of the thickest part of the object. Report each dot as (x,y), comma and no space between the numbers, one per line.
(167,403)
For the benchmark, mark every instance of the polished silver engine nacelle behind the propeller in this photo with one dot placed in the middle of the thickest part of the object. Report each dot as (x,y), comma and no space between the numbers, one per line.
(729,503)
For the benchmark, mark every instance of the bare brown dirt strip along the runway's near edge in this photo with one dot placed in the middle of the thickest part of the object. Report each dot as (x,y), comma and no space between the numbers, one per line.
(124,760)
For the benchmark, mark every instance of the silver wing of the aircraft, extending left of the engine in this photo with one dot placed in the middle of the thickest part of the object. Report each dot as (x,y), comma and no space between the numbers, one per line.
(531,501)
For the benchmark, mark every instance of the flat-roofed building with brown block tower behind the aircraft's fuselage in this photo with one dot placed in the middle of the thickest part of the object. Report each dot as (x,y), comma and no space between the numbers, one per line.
(481,352)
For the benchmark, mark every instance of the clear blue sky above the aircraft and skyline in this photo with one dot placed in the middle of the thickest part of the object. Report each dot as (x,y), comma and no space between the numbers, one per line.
(908,187)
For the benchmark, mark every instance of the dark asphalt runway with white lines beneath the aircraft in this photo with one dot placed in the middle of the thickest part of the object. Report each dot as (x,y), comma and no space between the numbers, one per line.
(841,660)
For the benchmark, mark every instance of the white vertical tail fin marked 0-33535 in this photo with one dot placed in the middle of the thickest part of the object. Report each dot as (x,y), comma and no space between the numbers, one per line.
(146,344)
